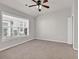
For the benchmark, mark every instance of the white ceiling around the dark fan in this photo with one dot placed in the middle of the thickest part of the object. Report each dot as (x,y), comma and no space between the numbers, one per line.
(20,5)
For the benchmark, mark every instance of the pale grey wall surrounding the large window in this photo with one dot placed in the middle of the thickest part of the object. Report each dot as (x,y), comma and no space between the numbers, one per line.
(13,12)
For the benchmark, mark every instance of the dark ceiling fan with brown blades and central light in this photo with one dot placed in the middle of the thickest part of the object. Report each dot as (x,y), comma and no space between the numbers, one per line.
(39,4)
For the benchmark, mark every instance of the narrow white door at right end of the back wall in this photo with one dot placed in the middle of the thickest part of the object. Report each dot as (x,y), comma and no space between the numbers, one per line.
(70,30)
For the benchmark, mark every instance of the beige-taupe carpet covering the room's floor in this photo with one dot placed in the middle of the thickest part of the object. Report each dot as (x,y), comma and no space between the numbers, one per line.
(39,49)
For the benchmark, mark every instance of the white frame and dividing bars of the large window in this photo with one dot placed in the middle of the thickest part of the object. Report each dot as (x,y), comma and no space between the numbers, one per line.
(7,18)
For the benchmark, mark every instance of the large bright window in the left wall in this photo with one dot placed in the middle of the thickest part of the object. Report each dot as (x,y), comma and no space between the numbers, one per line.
(13,27)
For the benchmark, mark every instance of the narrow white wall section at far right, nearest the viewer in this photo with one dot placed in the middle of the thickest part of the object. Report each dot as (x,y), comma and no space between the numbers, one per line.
(75,26)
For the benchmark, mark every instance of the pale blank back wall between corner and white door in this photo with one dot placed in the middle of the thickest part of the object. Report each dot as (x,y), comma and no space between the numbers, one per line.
(53,26)
